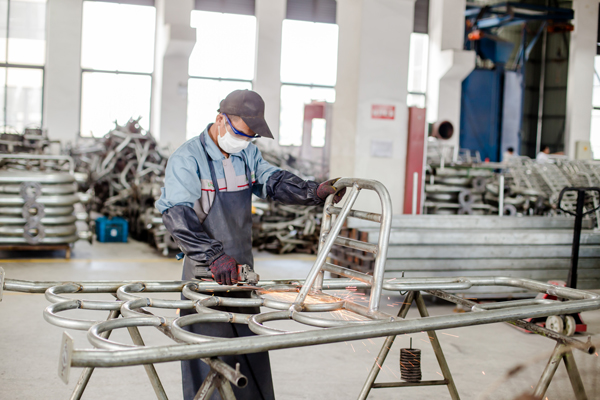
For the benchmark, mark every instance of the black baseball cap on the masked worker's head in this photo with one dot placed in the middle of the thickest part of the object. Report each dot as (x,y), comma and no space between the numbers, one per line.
(250,107)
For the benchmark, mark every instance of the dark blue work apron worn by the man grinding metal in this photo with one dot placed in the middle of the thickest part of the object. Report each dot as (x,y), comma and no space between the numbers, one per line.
(229,221)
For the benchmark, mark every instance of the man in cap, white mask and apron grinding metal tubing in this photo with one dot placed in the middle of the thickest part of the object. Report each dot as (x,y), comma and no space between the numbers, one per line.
(206,206)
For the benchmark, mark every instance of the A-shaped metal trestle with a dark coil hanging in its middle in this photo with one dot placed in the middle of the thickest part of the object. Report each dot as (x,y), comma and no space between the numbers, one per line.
(389,341)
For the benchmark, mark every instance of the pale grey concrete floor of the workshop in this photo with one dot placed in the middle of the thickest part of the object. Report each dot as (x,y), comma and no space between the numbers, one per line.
(479,357)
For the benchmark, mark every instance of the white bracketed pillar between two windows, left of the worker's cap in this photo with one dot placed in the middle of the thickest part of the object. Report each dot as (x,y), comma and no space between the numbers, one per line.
(175,40)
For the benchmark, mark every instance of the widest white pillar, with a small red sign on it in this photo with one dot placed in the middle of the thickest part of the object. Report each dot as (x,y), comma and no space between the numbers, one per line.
(370,115)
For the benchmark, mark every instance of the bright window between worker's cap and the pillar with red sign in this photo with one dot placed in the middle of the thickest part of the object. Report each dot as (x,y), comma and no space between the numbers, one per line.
(308,72)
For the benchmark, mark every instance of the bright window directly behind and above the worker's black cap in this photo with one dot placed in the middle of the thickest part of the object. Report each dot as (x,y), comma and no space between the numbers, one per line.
(221,62)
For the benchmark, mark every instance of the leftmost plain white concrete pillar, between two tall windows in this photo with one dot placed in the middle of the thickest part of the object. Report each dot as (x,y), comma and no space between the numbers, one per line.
(62,80)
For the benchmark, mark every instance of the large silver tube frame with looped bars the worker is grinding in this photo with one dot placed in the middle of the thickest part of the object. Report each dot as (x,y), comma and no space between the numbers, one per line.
(133,302)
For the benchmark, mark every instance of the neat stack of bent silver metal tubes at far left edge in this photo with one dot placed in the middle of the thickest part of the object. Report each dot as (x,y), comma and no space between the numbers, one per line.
(38,200)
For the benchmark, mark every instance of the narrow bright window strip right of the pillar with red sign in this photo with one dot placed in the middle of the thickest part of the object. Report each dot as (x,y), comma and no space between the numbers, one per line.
(417,70)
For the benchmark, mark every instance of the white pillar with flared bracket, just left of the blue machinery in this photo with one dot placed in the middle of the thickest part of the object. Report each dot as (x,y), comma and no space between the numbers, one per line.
(449,64)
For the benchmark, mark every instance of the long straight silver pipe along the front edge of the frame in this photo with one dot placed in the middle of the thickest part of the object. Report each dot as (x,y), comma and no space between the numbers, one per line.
(178,352)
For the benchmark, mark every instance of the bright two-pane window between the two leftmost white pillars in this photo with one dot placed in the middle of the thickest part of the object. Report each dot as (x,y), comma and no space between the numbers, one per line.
(117,60)
